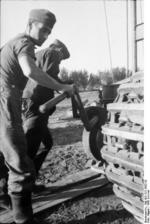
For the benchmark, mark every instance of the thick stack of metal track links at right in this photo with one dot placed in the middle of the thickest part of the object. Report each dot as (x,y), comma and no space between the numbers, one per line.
(123,148)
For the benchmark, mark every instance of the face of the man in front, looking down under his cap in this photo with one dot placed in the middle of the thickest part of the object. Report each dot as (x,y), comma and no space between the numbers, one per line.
(39,32)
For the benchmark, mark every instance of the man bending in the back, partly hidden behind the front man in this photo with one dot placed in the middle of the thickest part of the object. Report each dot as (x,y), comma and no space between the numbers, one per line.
(35,123)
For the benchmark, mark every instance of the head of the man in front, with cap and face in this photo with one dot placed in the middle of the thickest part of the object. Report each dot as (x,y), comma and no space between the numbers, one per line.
(40,25)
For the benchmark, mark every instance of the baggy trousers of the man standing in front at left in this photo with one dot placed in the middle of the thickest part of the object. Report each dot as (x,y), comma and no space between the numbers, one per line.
(21,171)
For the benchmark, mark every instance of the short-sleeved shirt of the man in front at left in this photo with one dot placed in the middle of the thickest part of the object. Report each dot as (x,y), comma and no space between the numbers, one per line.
(11,73)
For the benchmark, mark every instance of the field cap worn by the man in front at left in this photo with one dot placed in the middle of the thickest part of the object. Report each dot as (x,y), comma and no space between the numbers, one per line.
(44,16)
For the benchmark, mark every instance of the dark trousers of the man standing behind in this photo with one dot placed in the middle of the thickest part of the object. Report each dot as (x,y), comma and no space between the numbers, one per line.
(37,132)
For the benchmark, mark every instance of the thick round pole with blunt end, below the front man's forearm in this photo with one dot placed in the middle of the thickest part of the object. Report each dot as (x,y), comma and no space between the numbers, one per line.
(51,103)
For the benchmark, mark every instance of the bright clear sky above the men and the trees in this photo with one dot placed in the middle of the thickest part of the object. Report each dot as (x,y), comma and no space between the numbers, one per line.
(81,25)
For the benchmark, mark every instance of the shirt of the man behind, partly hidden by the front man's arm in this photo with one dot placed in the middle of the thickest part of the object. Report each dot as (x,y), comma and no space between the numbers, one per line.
(47,60)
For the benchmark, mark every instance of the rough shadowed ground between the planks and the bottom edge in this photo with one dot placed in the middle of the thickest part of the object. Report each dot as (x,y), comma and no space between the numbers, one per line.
(101,214)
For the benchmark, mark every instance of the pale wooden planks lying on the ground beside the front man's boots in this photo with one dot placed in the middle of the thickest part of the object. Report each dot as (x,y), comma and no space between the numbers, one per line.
(47,199)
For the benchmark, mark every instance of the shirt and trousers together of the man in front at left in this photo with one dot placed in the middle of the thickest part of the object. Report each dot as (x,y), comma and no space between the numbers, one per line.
(13,142)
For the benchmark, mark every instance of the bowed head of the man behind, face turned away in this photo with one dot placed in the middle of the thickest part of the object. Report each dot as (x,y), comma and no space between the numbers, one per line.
(61,48)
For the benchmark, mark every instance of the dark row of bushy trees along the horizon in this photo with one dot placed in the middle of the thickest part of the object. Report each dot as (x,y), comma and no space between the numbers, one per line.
(89,81)
